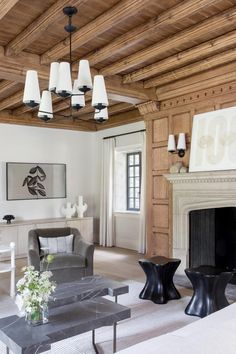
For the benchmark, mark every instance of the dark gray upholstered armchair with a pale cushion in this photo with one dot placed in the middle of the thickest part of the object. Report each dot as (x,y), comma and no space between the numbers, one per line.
(66,267)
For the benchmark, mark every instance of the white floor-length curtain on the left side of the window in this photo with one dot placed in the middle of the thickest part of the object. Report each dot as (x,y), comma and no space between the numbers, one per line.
(106,231)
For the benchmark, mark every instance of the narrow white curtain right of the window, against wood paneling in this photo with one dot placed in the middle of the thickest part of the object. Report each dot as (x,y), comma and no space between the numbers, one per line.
(142,222)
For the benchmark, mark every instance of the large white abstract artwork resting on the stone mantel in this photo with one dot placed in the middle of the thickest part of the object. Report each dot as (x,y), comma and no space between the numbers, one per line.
(213,143)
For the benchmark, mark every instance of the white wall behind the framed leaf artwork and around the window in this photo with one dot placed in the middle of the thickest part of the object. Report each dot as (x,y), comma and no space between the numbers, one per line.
(80,151)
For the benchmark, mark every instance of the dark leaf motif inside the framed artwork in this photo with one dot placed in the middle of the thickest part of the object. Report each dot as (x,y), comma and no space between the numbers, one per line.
(34,181)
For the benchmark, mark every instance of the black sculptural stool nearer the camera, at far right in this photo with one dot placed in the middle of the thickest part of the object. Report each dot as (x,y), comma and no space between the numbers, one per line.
(209,285)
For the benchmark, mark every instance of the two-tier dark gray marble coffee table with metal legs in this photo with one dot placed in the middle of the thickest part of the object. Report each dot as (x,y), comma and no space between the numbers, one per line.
(77,308)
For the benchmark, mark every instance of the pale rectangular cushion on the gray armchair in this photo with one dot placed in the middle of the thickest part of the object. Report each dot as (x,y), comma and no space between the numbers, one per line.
(62,244)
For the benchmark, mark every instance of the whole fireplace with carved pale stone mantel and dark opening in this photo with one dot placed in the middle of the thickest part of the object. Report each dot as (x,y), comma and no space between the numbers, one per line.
(204,195)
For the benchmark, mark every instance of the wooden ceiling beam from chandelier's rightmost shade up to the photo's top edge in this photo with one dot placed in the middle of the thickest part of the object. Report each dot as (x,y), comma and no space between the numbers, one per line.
(142,32)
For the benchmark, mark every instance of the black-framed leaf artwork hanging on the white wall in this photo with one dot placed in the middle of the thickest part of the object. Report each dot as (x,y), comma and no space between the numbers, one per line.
(35,180)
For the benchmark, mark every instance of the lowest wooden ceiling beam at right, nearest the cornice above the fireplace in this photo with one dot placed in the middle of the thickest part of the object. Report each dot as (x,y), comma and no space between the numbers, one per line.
(188,70)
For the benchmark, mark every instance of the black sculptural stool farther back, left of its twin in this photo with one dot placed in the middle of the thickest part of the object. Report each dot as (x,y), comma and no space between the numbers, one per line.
(159,286)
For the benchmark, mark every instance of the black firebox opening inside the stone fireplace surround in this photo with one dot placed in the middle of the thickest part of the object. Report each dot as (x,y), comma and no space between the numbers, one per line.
(212,237)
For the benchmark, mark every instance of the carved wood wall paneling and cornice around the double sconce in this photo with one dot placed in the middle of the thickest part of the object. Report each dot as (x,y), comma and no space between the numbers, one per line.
(172,117)
